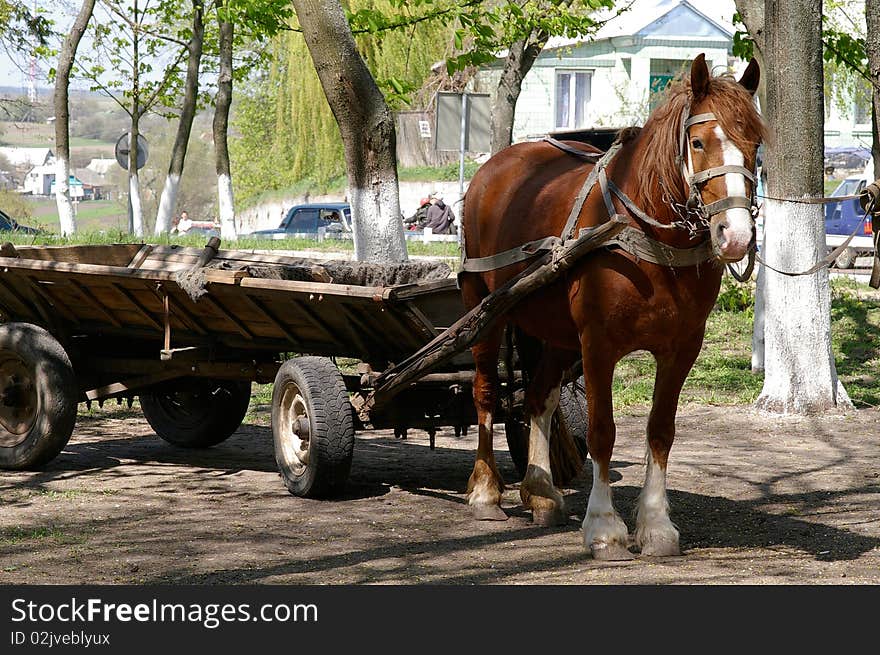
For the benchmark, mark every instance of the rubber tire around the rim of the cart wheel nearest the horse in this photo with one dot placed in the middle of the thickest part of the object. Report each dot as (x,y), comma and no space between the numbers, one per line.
(331,439)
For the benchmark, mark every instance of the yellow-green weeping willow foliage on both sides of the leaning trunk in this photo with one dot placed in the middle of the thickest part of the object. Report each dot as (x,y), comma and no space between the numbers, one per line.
(284,132)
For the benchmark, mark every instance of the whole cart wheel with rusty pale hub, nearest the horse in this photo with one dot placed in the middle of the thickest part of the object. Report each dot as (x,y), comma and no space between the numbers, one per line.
(312,427)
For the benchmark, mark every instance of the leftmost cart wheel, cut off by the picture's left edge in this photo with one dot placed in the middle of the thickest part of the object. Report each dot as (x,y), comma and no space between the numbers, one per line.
(38,396)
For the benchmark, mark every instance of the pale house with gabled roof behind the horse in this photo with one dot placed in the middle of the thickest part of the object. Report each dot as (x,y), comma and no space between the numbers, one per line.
(612,78)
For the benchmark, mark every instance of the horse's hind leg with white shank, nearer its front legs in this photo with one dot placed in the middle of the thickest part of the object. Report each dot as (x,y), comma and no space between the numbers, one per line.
(537,490)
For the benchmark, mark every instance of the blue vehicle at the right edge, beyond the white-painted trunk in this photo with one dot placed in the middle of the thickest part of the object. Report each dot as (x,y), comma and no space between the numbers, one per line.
(842,218)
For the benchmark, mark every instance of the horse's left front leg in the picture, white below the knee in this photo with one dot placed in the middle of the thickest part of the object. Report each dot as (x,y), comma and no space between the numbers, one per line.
(605,533)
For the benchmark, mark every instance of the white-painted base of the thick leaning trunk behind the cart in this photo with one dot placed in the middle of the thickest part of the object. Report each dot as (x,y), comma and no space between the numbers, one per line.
(377,233)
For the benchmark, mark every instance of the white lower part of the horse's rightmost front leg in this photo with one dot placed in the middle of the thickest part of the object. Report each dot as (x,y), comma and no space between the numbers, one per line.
(655,532)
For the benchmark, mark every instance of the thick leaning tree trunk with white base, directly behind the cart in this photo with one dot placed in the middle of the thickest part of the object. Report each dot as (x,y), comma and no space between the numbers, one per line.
(367,127)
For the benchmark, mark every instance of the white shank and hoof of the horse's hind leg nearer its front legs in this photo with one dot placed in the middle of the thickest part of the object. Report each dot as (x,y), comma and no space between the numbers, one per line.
(537,489)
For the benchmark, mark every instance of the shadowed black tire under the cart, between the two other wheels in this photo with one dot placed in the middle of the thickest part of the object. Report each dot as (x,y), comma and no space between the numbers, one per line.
(218,414)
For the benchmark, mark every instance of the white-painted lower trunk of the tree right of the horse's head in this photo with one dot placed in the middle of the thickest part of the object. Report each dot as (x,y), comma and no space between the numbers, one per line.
(799,372)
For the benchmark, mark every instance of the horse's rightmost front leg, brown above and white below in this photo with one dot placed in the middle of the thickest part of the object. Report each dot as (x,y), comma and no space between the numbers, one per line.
(655,534)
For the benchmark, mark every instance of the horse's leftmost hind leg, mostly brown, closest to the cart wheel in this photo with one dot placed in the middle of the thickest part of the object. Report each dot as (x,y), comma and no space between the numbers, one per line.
(485,484)
